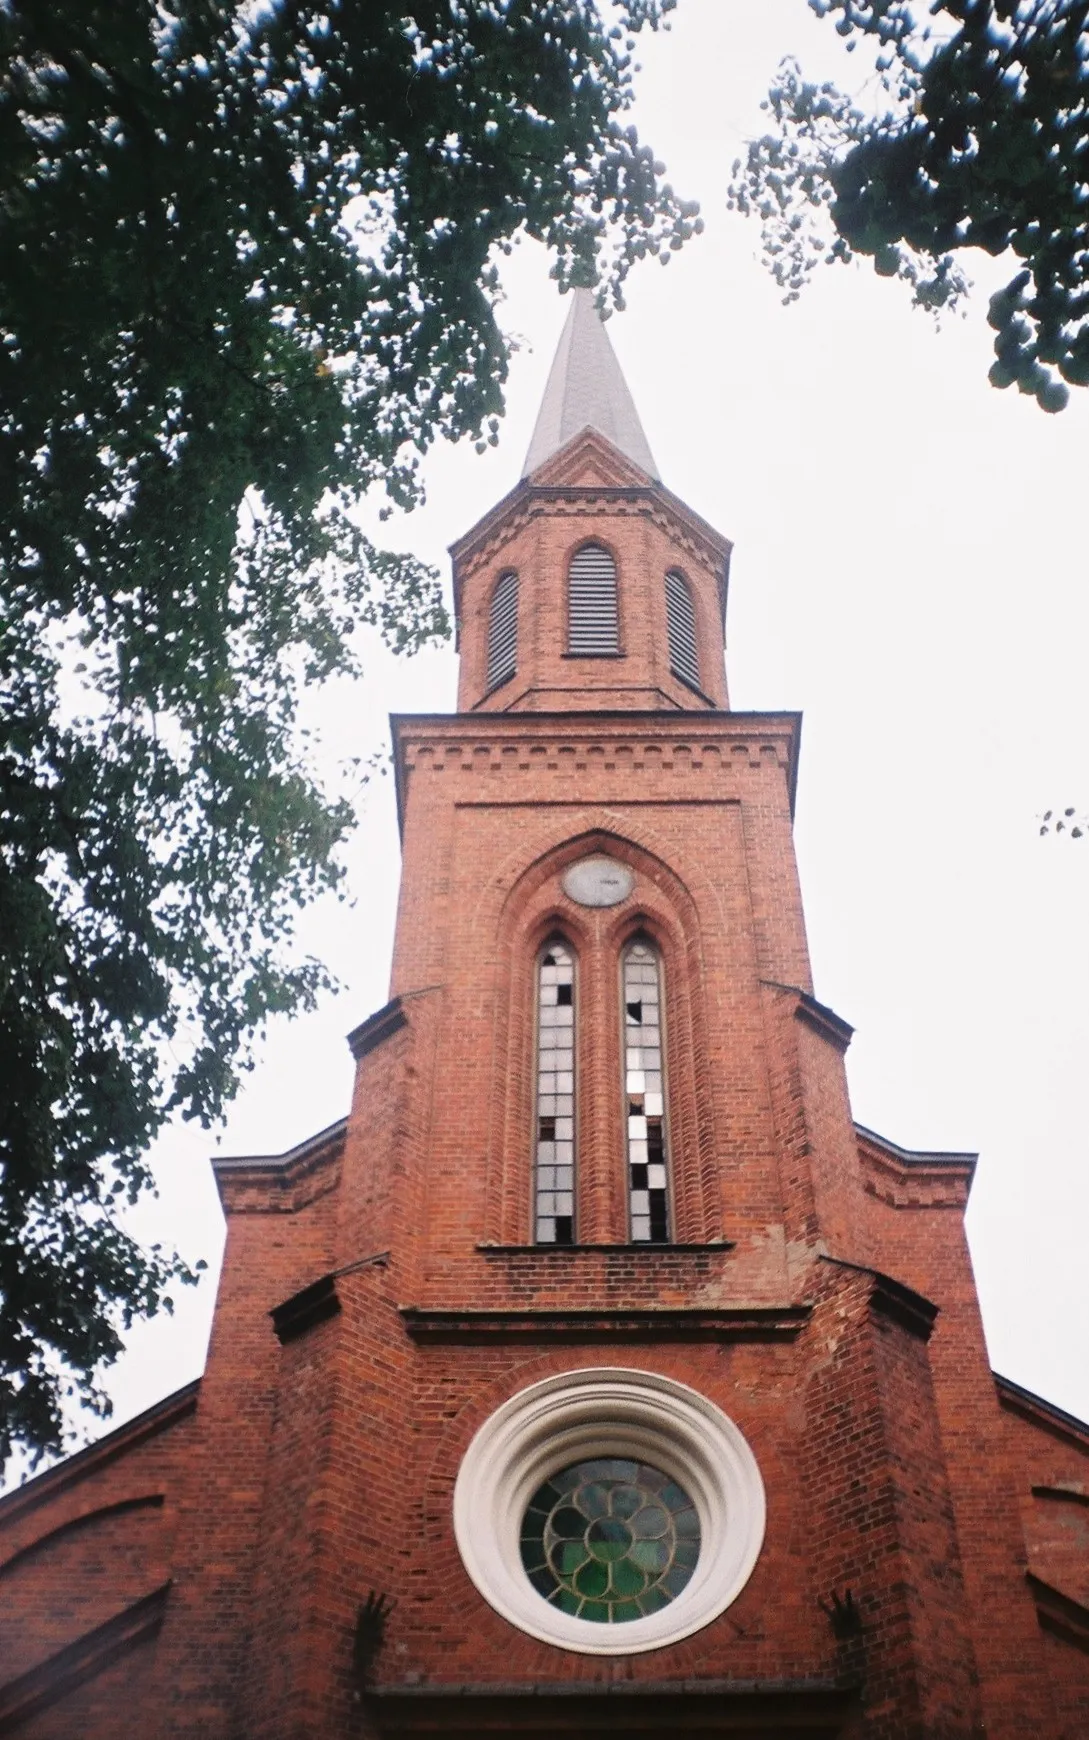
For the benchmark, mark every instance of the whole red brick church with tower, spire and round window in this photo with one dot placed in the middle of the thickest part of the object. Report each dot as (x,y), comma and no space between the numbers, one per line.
(598,1375)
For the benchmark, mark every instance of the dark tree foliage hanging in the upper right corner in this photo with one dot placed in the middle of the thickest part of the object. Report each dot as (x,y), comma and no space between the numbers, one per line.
(979,140)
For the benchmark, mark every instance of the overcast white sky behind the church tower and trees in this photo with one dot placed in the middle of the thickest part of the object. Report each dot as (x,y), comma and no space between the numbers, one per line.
(911,572)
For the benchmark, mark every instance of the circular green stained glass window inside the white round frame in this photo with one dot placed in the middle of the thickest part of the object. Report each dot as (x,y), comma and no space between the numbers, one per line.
(610,1541)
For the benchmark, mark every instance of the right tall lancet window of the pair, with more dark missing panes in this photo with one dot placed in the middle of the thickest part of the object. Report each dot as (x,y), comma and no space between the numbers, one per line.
(645,1095)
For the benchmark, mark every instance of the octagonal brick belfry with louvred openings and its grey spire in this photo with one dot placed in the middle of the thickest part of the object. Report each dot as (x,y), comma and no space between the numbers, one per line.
(591,587)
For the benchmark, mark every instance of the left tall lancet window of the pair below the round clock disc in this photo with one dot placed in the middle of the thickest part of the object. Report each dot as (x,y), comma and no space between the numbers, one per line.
(556,1097)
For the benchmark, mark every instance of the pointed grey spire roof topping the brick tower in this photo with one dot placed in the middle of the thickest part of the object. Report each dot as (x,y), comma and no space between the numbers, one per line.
(587,391)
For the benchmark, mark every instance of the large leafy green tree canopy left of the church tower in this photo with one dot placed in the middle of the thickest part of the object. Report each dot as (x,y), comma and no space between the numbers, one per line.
(248,272)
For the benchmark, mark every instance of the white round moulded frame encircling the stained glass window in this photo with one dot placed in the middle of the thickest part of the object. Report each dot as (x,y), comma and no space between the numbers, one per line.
(610,1412)
